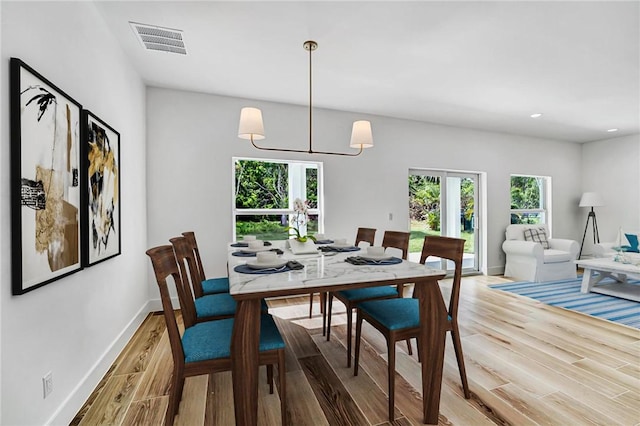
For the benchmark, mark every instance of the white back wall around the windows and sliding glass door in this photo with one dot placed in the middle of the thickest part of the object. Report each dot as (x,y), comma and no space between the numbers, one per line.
(192,138)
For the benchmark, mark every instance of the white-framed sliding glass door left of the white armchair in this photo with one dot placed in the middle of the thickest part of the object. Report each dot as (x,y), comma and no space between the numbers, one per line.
(444,203)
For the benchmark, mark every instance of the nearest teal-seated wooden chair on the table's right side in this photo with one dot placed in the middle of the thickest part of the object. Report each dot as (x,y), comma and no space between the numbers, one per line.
(398,319)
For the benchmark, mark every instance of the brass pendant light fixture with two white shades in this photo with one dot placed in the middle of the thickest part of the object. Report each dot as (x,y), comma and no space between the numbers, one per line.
(252,128)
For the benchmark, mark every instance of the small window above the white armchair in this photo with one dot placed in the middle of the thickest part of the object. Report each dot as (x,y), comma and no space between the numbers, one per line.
(530,199)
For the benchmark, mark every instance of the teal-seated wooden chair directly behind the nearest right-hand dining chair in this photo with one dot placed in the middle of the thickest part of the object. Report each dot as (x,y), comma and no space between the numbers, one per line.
(351,298)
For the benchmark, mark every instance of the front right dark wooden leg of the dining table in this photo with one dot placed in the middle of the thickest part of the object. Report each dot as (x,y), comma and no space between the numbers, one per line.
(433,320)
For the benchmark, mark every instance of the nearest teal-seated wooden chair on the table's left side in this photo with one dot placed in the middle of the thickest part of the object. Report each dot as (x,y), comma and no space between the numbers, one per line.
(205,348)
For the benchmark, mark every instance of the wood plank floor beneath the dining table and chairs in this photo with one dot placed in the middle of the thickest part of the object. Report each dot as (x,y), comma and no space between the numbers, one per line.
(527,364)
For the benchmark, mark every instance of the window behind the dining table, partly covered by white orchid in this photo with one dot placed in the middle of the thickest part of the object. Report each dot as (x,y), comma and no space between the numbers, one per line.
(264,192)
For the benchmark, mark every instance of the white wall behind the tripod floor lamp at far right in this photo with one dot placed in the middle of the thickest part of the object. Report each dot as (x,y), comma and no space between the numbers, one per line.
(612,168)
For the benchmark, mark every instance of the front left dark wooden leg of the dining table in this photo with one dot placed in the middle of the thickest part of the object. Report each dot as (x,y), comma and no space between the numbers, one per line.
(244,361)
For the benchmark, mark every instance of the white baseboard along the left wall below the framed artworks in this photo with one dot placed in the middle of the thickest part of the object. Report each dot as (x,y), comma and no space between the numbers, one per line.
(70,407)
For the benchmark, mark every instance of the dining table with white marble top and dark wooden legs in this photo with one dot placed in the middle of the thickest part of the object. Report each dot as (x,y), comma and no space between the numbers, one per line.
(327,272)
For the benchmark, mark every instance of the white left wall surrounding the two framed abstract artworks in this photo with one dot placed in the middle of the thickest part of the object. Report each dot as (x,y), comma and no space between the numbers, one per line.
(68,327)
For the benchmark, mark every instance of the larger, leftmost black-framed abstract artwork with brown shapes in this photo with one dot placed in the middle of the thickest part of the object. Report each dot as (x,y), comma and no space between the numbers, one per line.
(45,184)
